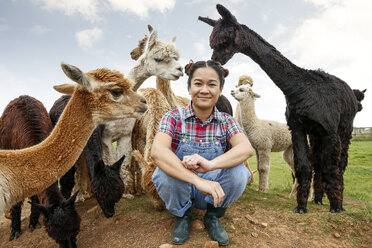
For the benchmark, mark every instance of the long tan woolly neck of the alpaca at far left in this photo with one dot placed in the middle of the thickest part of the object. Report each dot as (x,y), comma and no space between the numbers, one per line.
(41,165)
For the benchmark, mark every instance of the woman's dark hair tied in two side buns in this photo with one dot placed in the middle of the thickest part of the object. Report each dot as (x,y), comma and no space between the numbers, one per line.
(191,67)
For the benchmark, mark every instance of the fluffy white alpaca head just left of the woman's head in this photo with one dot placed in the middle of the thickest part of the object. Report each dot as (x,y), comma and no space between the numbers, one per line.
(159,57)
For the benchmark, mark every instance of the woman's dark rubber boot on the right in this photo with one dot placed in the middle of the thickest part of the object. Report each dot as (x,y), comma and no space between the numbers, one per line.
(211,222)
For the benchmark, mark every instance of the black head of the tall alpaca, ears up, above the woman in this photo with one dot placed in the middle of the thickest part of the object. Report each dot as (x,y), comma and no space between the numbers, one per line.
(225,38)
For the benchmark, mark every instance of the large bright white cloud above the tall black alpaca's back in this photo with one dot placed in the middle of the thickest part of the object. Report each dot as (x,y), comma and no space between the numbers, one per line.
(337,40)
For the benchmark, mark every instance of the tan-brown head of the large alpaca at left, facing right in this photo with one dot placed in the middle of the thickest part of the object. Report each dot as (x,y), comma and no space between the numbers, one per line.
(107,93)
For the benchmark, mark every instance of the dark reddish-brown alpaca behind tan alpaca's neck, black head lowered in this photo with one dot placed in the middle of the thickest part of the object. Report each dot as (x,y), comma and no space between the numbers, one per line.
(25,122)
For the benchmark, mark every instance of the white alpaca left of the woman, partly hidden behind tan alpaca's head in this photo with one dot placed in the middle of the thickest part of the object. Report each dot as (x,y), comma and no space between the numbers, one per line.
(160,59)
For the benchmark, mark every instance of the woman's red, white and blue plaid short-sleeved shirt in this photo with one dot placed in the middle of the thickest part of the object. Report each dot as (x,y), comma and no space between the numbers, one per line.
(196,130)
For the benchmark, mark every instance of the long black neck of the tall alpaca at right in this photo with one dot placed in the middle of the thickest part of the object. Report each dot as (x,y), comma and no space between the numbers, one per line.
(277,67)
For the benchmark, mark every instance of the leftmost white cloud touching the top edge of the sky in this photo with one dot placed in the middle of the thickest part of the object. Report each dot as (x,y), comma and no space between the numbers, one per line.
(87,8)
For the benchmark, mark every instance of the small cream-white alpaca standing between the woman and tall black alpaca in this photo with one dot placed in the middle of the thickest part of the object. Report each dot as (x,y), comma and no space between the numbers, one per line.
(265,136)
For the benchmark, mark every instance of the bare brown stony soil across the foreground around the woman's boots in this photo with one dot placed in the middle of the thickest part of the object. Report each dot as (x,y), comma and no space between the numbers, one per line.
(137,224)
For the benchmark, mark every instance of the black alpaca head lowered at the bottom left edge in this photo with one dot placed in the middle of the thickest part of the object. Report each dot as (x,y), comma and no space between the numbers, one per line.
(62,222)
